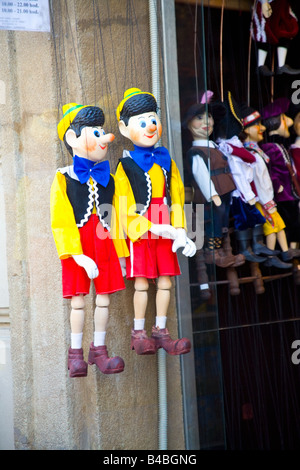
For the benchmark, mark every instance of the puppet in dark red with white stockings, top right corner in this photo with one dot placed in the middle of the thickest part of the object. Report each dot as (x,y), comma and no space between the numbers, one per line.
(274,25)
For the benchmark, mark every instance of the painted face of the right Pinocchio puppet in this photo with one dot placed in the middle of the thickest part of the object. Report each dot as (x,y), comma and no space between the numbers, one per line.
(144,130)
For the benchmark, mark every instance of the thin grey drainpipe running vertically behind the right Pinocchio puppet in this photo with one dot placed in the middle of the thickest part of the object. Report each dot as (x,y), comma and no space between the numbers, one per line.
(161,353)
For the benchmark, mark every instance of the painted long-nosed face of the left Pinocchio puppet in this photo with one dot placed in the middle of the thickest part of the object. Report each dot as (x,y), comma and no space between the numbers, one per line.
(92,144)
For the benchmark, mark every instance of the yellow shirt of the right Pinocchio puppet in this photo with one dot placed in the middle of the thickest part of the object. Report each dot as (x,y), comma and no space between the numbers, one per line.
(136,225)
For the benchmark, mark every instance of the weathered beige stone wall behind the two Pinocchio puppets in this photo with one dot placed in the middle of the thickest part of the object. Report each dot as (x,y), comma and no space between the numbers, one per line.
(94,52)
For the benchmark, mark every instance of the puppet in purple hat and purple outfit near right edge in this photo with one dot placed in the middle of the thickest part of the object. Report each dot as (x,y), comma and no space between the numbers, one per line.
(277,123)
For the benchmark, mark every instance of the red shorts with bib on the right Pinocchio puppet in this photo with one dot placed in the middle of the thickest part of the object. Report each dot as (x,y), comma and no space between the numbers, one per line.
(152,256)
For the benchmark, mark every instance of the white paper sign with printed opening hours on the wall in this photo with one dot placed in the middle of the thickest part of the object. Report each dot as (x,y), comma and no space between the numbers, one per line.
(25,16)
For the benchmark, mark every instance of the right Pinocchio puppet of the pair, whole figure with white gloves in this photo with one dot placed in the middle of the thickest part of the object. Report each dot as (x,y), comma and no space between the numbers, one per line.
(150,199)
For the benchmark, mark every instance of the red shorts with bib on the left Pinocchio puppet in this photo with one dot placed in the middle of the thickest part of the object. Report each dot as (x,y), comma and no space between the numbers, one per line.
(97,244)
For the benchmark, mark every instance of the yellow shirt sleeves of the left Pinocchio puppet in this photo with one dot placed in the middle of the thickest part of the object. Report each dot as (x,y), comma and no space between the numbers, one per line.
(65,231)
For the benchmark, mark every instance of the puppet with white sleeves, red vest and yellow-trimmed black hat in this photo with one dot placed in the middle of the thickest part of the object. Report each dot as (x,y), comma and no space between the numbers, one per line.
(253,185)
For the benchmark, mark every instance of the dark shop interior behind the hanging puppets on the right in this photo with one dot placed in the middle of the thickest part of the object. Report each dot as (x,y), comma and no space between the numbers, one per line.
(255,383)
